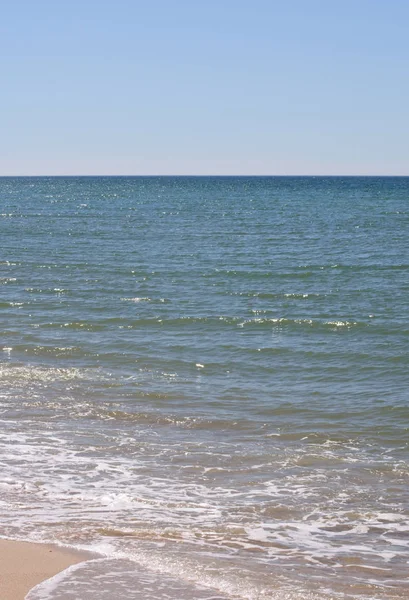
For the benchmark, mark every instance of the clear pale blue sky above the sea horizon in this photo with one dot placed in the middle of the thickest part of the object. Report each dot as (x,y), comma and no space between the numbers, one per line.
(261,87)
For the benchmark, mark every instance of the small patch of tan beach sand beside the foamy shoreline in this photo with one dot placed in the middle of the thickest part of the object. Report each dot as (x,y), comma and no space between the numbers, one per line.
(23,565)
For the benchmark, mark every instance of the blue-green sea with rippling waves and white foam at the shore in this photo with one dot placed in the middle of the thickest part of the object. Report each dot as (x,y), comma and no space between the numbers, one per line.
(205,381)
